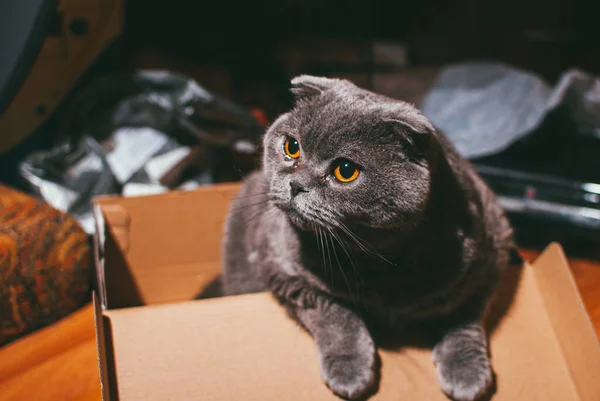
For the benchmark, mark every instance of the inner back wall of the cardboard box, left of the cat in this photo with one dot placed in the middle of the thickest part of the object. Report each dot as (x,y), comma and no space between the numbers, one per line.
(161,248)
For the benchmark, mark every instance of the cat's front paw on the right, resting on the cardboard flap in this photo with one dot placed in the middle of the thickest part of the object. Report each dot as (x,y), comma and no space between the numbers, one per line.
(465,378)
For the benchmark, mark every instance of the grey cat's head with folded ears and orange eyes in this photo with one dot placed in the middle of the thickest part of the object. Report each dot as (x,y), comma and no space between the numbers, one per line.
(346,156)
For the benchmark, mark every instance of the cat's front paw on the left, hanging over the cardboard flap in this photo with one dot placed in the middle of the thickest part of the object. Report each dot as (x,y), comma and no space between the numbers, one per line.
(349,376)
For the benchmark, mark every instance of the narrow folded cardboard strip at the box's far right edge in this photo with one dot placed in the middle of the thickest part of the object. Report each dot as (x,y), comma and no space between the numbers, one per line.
(572,325)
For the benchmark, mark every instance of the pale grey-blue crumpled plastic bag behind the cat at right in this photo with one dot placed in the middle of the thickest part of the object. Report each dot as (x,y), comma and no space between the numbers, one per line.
(484,108)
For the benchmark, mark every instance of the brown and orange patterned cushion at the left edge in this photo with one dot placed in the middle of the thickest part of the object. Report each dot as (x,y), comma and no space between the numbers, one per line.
(45,263)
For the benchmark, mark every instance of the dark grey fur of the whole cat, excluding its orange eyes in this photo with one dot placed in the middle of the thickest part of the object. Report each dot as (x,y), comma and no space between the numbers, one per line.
(417,235)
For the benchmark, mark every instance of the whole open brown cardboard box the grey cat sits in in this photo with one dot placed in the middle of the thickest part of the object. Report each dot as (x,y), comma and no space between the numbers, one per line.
(155,254)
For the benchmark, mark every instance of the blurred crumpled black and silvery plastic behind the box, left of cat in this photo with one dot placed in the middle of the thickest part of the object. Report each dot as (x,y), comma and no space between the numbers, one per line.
(141,134)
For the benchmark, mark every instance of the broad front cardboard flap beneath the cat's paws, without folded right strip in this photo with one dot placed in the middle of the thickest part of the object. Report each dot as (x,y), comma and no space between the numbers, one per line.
(246,347)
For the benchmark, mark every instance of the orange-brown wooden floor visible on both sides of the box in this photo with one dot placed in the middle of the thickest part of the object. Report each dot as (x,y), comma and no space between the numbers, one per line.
(59,362)
